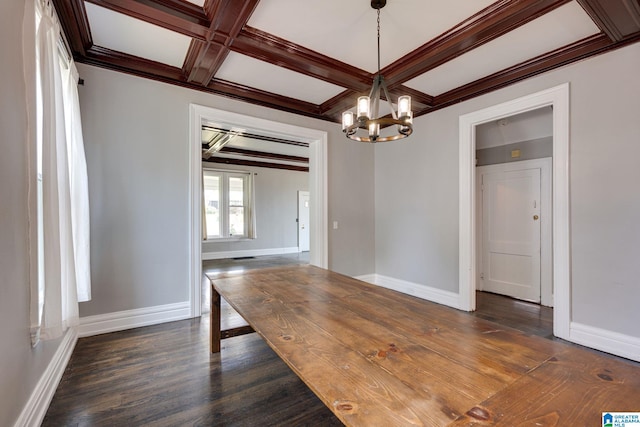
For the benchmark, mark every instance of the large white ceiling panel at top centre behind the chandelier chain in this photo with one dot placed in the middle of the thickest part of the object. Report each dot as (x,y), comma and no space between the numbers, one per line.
(346,30)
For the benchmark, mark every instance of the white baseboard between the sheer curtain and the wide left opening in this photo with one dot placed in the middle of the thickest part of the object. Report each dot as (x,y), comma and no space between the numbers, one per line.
(121,320)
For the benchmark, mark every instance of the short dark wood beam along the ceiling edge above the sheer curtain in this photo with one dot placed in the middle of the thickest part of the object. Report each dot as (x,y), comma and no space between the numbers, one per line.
(75,24)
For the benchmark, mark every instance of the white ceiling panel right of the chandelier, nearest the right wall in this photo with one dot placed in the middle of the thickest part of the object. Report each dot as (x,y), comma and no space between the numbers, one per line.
(565,25)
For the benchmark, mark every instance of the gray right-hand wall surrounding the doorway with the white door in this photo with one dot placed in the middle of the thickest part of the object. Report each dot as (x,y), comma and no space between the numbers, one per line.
(416,195)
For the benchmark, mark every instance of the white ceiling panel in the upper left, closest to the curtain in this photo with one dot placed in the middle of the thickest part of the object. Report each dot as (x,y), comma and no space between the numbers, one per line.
(122,33)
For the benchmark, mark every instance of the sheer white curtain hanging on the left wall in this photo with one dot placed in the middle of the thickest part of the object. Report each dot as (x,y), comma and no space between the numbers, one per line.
(64,235)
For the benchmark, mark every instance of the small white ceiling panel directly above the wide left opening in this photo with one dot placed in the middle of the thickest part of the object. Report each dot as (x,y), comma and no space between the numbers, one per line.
(262,75)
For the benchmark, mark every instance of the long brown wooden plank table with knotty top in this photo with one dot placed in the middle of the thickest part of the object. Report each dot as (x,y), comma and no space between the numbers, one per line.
(377,357)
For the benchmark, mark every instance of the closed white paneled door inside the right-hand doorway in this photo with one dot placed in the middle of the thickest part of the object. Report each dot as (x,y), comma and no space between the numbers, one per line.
(511,233)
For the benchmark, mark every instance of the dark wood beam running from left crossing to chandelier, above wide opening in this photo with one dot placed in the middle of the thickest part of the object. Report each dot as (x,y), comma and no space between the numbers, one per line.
(270,48)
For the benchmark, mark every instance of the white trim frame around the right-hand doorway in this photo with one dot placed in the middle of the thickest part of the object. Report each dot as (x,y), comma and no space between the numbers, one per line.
(558,99)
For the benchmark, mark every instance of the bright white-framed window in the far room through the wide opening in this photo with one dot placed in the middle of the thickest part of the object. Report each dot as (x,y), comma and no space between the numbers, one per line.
(227,204)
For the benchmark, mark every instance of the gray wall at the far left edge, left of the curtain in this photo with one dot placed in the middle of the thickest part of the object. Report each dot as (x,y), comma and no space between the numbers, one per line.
(20,365)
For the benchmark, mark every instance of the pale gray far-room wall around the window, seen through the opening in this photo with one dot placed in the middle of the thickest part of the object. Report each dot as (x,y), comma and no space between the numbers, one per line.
(276,207)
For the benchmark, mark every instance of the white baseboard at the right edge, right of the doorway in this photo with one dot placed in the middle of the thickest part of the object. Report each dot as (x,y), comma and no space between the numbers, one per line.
(610,342)
